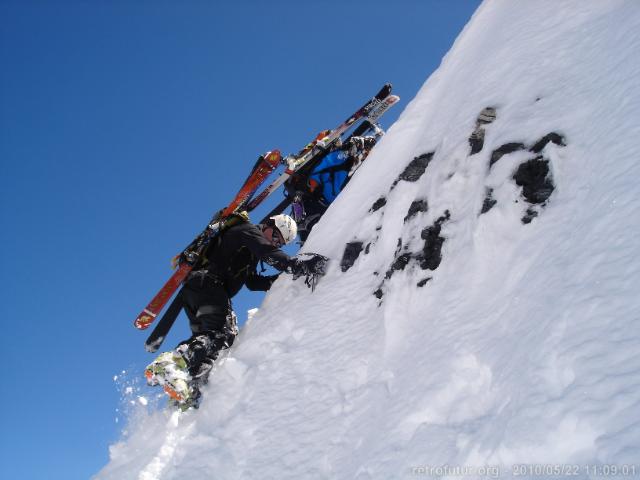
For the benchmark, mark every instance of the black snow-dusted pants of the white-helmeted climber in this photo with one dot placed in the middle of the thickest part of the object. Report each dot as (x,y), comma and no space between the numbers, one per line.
(212,322)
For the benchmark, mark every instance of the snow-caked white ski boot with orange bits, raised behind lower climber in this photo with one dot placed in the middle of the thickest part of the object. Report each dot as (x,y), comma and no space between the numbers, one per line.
(170,370)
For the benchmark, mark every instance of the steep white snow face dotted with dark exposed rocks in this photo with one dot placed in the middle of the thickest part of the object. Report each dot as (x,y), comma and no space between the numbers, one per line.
(482,307)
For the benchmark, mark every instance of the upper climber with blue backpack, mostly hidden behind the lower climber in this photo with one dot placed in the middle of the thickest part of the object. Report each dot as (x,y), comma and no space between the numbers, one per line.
(311,195)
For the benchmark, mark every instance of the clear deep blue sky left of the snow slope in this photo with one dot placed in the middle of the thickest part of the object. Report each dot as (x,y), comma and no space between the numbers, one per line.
(123,126)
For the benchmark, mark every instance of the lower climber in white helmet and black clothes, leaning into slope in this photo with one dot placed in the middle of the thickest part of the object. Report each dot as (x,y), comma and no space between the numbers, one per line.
(206,296)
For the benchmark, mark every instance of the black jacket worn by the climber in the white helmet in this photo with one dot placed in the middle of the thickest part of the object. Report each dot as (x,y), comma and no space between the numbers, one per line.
(233,257)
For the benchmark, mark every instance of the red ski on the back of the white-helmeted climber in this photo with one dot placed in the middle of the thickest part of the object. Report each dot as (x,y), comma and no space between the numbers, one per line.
(189,257)
